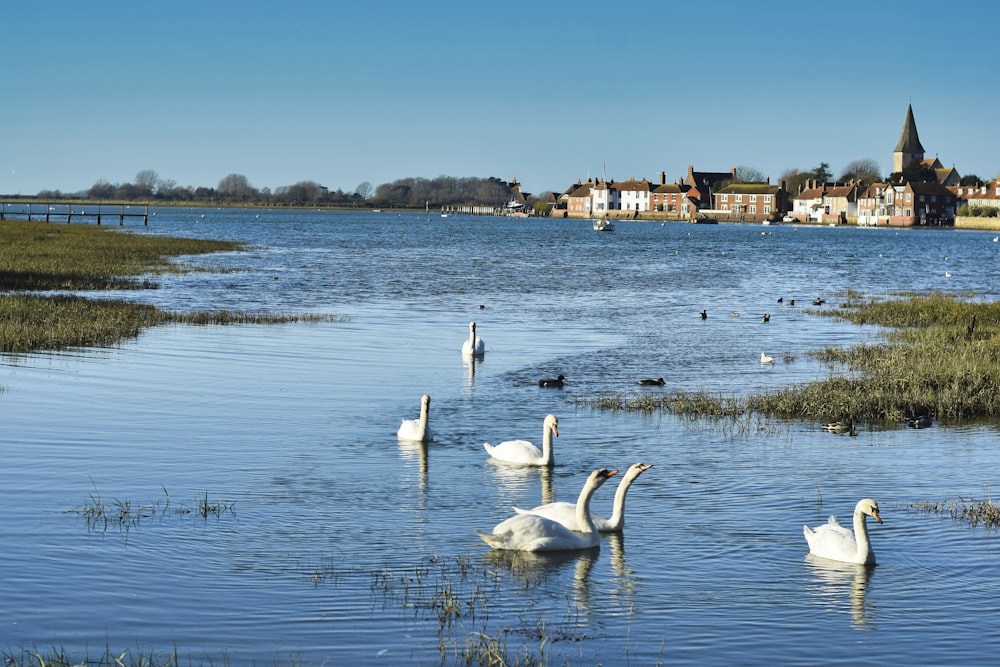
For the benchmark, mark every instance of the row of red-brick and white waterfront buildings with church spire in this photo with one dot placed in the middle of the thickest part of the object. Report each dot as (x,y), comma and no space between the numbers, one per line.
(717,195)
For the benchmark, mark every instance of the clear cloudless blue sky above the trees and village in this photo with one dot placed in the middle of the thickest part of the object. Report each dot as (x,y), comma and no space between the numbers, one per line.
(546,92)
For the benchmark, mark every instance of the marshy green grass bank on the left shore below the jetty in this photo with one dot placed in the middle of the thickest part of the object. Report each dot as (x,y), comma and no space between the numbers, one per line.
(37,256)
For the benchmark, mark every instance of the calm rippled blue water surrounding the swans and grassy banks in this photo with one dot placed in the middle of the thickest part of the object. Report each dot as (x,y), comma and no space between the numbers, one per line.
(333,542)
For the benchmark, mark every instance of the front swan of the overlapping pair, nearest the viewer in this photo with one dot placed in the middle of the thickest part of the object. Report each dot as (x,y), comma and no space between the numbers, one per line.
(530,532)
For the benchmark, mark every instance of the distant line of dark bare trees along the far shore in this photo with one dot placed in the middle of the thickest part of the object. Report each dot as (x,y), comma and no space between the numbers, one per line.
(236,189)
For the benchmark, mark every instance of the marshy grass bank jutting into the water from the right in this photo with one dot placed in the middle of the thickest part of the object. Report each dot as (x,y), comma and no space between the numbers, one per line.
(940,357)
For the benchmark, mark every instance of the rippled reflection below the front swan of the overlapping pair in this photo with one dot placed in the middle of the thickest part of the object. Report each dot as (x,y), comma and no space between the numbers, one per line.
(533,568)
